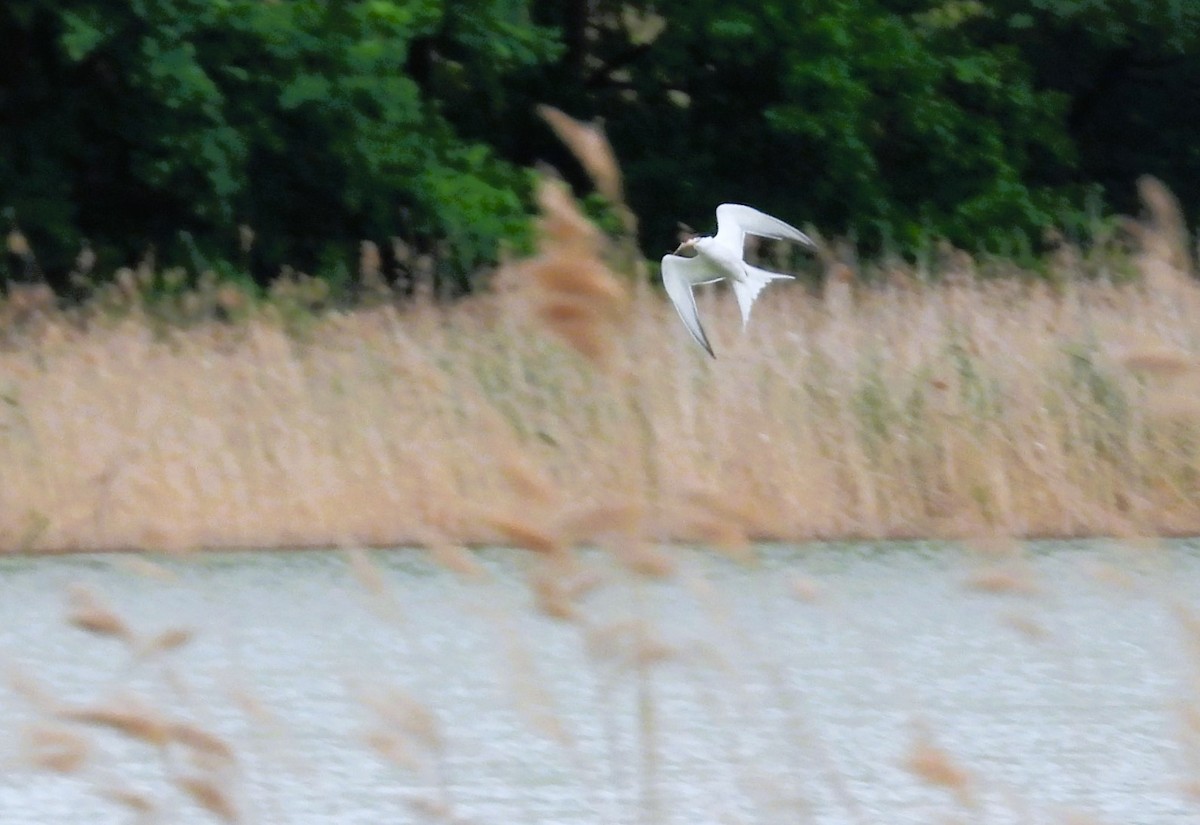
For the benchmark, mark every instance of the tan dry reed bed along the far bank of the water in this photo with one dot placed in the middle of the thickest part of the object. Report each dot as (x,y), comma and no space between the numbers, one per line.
(567,405)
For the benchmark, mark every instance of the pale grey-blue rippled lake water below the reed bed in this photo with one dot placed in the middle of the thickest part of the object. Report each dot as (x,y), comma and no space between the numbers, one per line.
(807,688)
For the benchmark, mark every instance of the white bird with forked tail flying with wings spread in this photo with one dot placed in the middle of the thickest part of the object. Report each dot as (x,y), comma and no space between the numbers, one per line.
(723,257)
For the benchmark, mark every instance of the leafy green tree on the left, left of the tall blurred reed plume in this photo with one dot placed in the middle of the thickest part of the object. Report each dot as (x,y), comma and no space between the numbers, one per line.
(305,121)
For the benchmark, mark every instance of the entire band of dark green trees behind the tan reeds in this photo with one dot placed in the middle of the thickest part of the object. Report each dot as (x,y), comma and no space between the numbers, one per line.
(172,123)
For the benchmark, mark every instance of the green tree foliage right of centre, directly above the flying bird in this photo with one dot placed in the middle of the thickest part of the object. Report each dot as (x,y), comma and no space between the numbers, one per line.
(848,112)
